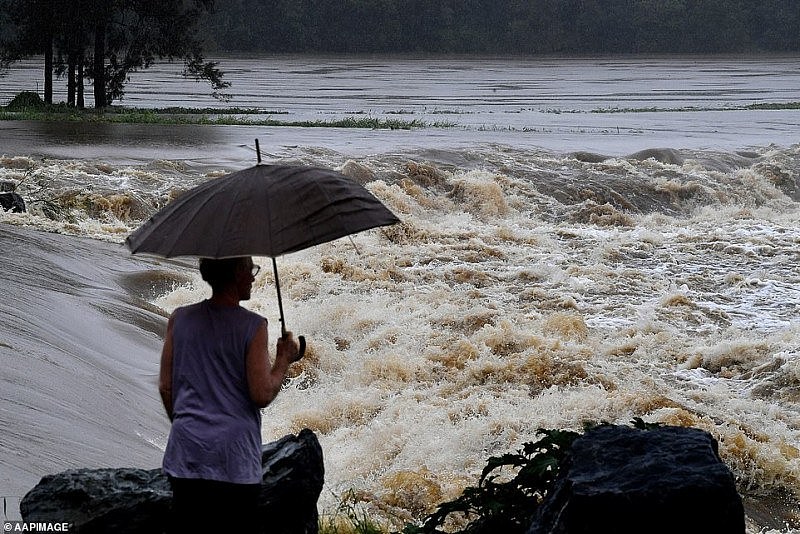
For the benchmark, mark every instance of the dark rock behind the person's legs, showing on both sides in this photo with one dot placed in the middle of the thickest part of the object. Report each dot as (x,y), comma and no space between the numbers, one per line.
(137,501)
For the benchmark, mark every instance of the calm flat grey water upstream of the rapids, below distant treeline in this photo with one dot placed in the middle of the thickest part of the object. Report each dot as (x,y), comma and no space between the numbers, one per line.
(612,106)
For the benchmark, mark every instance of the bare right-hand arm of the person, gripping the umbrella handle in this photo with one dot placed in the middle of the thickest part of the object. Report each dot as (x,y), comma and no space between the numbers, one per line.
(263,378)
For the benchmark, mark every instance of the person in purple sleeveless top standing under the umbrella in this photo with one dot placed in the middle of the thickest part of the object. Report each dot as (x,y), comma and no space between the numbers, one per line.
(215,376)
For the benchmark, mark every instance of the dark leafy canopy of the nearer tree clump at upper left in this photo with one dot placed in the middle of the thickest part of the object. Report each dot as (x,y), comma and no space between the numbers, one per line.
(104,41)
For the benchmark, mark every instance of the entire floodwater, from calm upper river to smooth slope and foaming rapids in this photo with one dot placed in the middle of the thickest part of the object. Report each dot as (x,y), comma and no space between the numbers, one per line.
(586,241)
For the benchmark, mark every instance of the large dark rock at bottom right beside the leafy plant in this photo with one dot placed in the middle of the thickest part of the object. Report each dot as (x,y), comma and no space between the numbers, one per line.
(626,480)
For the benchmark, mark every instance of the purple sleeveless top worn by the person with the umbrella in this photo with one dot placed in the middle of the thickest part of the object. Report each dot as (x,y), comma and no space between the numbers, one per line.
(216,429)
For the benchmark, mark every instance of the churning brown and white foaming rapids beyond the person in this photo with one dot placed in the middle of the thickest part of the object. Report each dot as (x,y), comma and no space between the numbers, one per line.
(519,292)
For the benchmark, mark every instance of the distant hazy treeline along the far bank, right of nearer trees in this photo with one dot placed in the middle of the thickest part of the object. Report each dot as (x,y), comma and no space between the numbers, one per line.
(525,27)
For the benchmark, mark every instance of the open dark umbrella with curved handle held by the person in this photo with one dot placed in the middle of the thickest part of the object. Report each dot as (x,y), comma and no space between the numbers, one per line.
(265,210)
